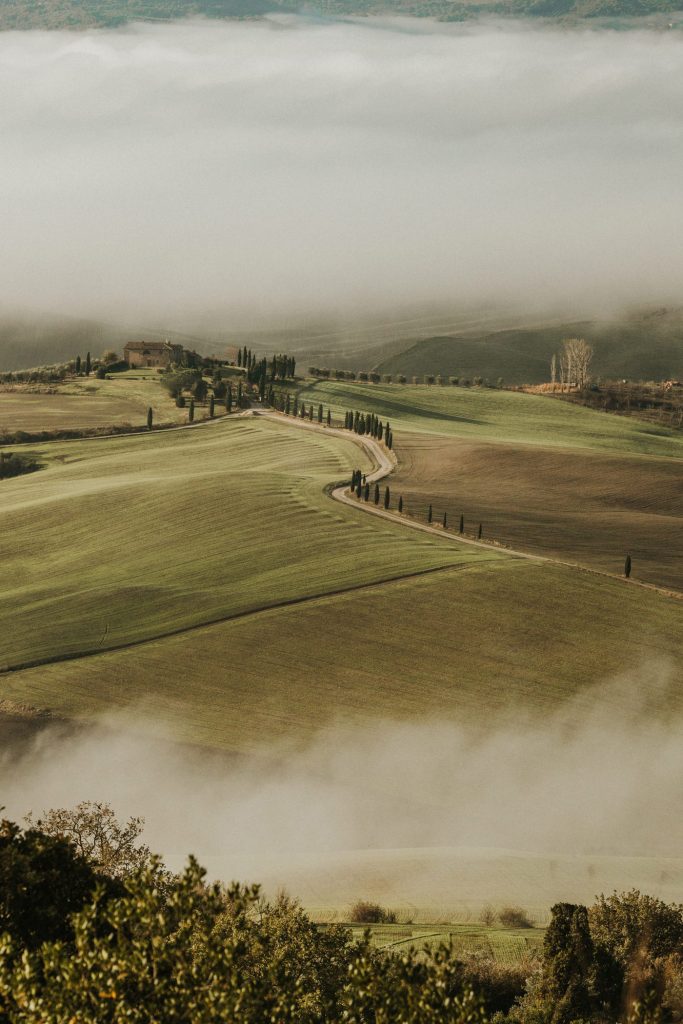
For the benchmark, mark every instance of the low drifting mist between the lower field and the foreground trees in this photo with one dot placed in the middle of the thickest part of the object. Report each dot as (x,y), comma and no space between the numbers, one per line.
(602,775)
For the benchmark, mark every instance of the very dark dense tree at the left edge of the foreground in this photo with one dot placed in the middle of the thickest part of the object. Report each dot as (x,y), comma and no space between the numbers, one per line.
(42,882)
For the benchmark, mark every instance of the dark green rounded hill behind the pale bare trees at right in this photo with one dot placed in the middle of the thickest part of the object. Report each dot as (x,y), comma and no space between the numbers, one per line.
(646,347)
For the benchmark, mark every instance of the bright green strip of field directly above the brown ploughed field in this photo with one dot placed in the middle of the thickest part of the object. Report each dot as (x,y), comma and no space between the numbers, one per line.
(495,415)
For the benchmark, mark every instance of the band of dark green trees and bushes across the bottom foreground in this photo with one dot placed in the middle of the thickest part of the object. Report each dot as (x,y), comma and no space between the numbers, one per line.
(94,928)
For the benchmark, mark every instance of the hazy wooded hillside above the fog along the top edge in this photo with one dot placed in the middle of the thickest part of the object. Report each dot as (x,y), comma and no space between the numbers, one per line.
(112,14)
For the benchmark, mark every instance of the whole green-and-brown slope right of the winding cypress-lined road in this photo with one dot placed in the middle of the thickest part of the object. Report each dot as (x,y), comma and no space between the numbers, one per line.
(585,489)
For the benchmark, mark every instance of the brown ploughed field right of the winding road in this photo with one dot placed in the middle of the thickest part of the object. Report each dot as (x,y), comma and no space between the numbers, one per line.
(581,506)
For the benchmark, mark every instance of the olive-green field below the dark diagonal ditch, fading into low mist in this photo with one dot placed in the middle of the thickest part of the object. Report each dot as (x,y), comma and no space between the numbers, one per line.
(481,643)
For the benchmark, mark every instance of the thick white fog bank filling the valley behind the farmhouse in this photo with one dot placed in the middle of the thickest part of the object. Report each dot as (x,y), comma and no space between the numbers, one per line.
(290,164)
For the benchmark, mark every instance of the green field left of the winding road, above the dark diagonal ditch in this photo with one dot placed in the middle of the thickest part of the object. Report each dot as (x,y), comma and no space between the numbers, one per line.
(125,539)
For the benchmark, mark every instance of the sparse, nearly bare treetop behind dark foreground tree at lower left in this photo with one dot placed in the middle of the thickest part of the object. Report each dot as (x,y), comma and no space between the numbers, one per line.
(97,834)
